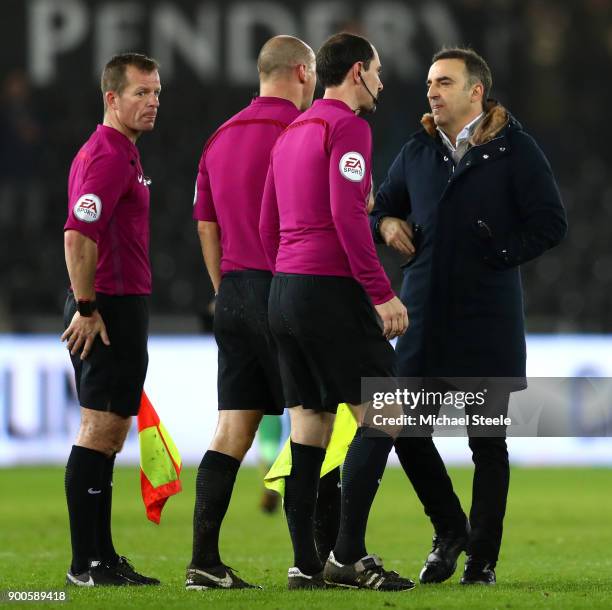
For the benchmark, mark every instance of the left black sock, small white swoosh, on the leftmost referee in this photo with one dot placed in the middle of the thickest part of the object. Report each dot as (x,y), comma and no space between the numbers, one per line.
(84,489)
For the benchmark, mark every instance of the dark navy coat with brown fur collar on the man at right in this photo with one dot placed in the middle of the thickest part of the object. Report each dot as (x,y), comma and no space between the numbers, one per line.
(500,207)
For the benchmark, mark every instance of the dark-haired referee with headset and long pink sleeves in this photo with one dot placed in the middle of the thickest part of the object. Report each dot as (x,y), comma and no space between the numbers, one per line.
(328,295)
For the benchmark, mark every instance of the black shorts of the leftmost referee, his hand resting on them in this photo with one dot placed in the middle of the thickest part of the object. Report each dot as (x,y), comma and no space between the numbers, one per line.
(111,378)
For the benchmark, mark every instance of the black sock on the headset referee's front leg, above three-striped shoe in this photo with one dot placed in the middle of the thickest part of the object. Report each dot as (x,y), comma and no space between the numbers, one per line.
(363,468)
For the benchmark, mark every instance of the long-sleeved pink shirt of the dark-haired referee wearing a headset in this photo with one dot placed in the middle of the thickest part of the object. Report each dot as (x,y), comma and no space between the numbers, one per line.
(314,219)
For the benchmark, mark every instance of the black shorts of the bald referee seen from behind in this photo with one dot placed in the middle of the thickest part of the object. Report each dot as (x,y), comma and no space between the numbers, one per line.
(248,373)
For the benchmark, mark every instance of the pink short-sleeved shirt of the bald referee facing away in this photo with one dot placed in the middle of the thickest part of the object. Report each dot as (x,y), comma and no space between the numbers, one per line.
(232,175)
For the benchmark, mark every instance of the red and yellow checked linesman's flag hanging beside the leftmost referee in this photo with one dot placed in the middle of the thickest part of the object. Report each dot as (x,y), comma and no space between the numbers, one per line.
(160,462)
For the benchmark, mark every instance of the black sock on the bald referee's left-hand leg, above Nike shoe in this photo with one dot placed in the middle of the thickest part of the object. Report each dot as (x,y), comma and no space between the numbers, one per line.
(214,486)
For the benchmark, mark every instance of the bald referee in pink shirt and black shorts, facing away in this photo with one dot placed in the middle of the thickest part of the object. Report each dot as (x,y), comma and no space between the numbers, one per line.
(230,183)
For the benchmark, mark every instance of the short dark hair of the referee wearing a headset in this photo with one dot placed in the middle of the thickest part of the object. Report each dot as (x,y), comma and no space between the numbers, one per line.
(338,54)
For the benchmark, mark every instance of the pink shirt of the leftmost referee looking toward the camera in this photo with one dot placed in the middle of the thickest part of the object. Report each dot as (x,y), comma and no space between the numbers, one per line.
(108,201)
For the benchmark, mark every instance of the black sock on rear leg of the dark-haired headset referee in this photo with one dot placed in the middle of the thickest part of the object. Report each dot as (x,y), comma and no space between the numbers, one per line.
(300,501)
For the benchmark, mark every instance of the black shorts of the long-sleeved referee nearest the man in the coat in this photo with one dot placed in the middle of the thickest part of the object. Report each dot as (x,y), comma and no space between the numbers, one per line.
(329,337)
